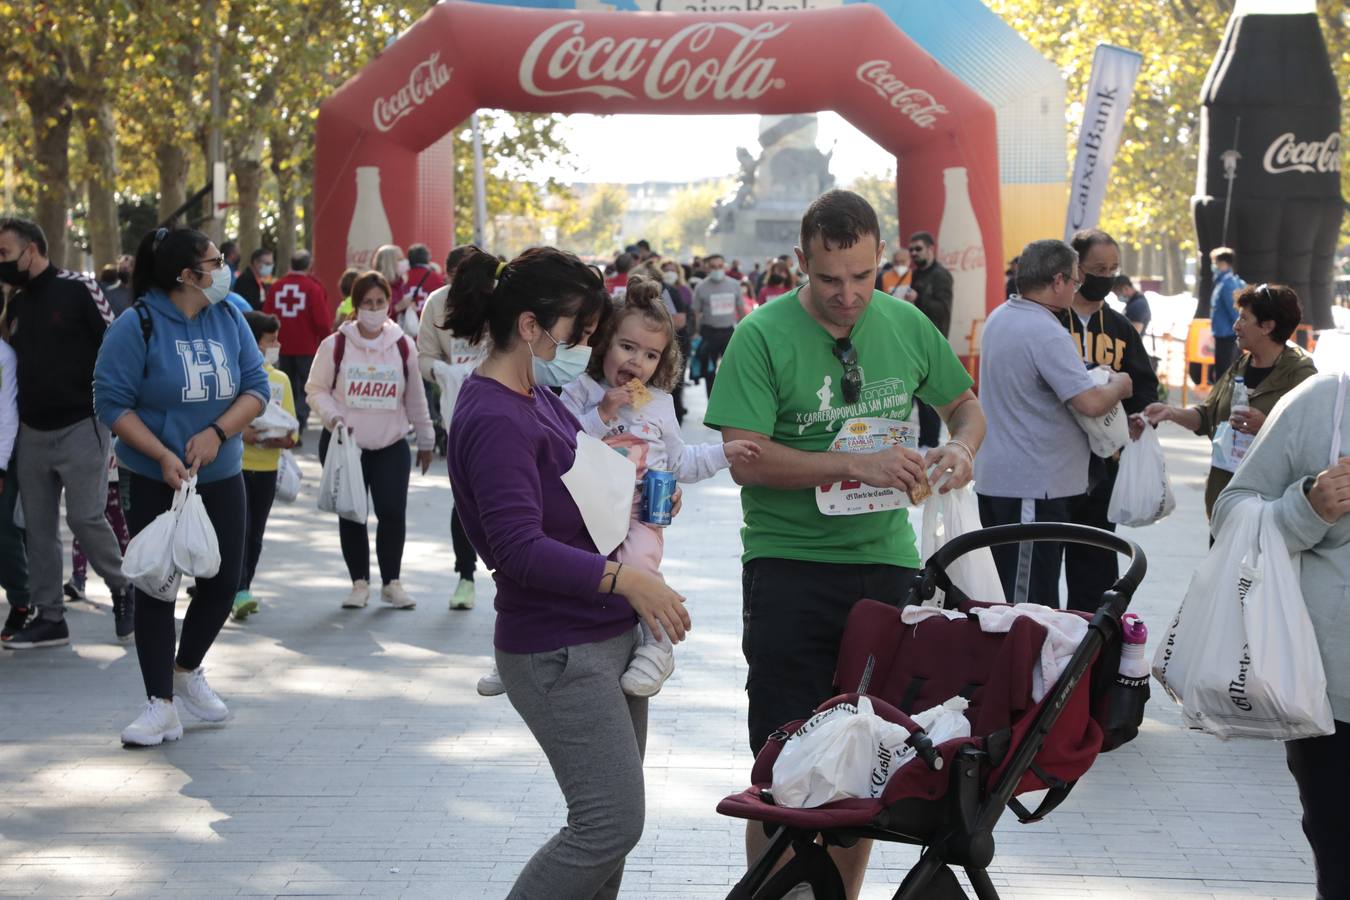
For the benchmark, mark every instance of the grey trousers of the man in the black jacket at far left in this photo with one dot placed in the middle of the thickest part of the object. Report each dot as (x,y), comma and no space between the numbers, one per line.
(76,459)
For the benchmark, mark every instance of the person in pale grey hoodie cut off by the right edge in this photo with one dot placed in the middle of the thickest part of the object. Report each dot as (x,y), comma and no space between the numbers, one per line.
(1301,463)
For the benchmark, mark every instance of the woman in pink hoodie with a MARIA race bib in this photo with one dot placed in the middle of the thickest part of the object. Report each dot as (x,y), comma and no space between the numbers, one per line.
(365,380)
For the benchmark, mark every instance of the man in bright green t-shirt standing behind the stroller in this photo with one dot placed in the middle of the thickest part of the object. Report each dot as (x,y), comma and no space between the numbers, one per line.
(832,366)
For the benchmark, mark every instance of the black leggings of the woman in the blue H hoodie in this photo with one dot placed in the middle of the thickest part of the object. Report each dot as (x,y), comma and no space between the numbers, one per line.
(207,613)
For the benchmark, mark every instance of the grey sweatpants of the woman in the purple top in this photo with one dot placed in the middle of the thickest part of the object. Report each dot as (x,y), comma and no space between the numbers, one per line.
(595,737)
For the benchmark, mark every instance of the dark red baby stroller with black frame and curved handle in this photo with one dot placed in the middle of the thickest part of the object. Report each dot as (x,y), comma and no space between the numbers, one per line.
(951,797)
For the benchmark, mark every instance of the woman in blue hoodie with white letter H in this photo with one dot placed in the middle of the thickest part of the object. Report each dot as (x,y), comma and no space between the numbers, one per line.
(178,381)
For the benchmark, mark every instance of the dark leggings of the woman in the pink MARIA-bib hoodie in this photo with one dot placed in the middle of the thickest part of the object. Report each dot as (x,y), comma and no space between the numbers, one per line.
(387,473)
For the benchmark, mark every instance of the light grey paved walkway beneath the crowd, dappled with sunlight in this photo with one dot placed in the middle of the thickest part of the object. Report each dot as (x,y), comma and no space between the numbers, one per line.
(360,760)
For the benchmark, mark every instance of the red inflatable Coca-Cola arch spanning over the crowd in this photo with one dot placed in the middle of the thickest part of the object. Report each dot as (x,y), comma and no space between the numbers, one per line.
(384,171)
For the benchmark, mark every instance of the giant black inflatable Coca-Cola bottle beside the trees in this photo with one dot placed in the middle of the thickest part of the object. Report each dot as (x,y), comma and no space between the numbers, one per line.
(1270,180)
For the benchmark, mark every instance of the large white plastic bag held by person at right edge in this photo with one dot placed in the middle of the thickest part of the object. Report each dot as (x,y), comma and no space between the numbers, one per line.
(1241,656)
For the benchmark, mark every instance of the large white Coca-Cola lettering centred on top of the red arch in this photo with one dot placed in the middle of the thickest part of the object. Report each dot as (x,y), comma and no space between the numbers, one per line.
(674,67)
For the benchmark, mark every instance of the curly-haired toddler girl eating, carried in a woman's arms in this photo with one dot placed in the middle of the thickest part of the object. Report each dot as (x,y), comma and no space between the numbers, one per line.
(639,419)
